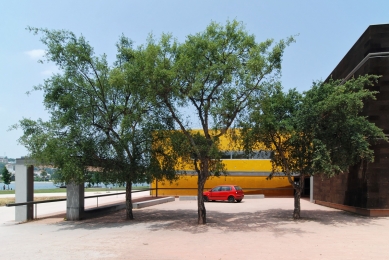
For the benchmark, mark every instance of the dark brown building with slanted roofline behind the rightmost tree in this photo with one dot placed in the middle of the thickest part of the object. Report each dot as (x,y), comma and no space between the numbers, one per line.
(365,188)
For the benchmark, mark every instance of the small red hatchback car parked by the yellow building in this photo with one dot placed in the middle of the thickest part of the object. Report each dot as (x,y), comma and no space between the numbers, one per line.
(224,192)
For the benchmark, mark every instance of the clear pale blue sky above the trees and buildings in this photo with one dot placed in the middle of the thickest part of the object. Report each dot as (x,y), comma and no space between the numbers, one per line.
(327,30)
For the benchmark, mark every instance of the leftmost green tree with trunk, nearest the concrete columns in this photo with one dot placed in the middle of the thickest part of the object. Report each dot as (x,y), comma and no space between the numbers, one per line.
(100,117)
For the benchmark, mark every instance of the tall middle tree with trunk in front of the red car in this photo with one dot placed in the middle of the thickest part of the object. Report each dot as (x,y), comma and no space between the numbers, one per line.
(214,74)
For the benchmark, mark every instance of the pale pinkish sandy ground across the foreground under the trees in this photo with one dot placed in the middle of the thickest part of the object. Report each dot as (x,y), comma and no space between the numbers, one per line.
(252,229)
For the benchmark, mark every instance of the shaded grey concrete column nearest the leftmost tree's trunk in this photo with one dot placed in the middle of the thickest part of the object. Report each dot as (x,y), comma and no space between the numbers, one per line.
(75,201)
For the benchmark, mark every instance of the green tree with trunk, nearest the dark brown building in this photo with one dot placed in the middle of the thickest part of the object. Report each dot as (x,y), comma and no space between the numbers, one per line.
(321,131)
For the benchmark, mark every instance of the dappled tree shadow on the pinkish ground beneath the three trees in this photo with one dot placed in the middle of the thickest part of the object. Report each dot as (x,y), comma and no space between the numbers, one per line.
(277,221)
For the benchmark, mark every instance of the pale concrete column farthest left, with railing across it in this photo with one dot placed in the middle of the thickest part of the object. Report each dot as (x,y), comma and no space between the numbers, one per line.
(24,190)
